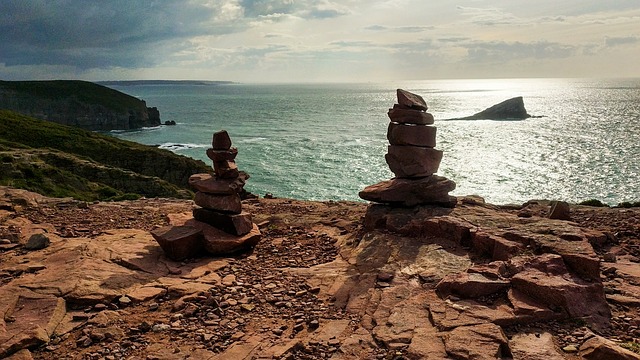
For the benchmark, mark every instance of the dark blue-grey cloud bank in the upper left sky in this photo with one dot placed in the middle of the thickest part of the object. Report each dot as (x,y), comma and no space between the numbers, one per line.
(117,33)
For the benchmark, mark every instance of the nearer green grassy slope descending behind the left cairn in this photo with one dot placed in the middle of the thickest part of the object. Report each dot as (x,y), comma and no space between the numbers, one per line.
(58,160)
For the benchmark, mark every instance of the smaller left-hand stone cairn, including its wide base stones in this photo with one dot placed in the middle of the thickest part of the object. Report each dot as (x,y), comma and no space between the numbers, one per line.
(219,226)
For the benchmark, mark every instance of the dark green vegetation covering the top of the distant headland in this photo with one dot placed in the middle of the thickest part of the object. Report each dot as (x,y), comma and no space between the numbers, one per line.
(83,91)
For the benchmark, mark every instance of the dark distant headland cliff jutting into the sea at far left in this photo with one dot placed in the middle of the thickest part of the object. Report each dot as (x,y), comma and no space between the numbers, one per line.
(77,103)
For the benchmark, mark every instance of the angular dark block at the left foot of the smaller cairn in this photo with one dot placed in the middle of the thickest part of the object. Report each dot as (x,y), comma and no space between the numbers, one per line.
(179,242)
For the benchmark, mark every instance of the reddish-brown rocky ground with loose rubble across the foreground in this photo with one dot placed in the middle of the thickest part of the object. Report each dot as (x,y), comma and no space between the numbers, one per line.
(332,280)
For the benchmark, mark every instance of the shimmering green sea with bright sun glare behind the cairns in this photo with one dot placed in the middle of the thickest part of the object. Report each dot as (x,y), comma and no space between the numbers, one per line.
(328,141)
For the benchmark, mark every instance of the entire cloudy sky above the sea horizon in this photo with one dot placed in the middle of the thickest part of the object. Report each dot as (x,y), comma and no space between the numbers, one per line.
(318,40)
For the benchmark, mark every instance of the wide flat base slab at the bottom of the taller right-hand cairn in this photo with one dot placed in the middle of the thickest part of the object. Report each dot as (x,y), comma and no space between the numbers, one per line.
(410,192)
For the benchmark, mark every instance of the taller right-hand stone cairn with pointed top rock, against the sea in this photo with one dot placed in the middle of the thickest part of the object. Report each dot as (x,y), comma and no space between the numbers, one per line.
(413,159)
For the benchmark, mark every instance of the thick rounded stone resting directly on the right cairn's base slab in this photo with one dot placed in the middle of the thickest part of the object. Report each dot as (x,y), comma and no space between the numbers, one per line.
(413,161)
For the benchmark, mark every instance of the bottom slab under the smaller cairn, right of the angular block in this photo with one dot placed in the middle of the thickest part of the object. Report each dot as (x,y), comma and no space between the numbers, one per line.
(218,242)
